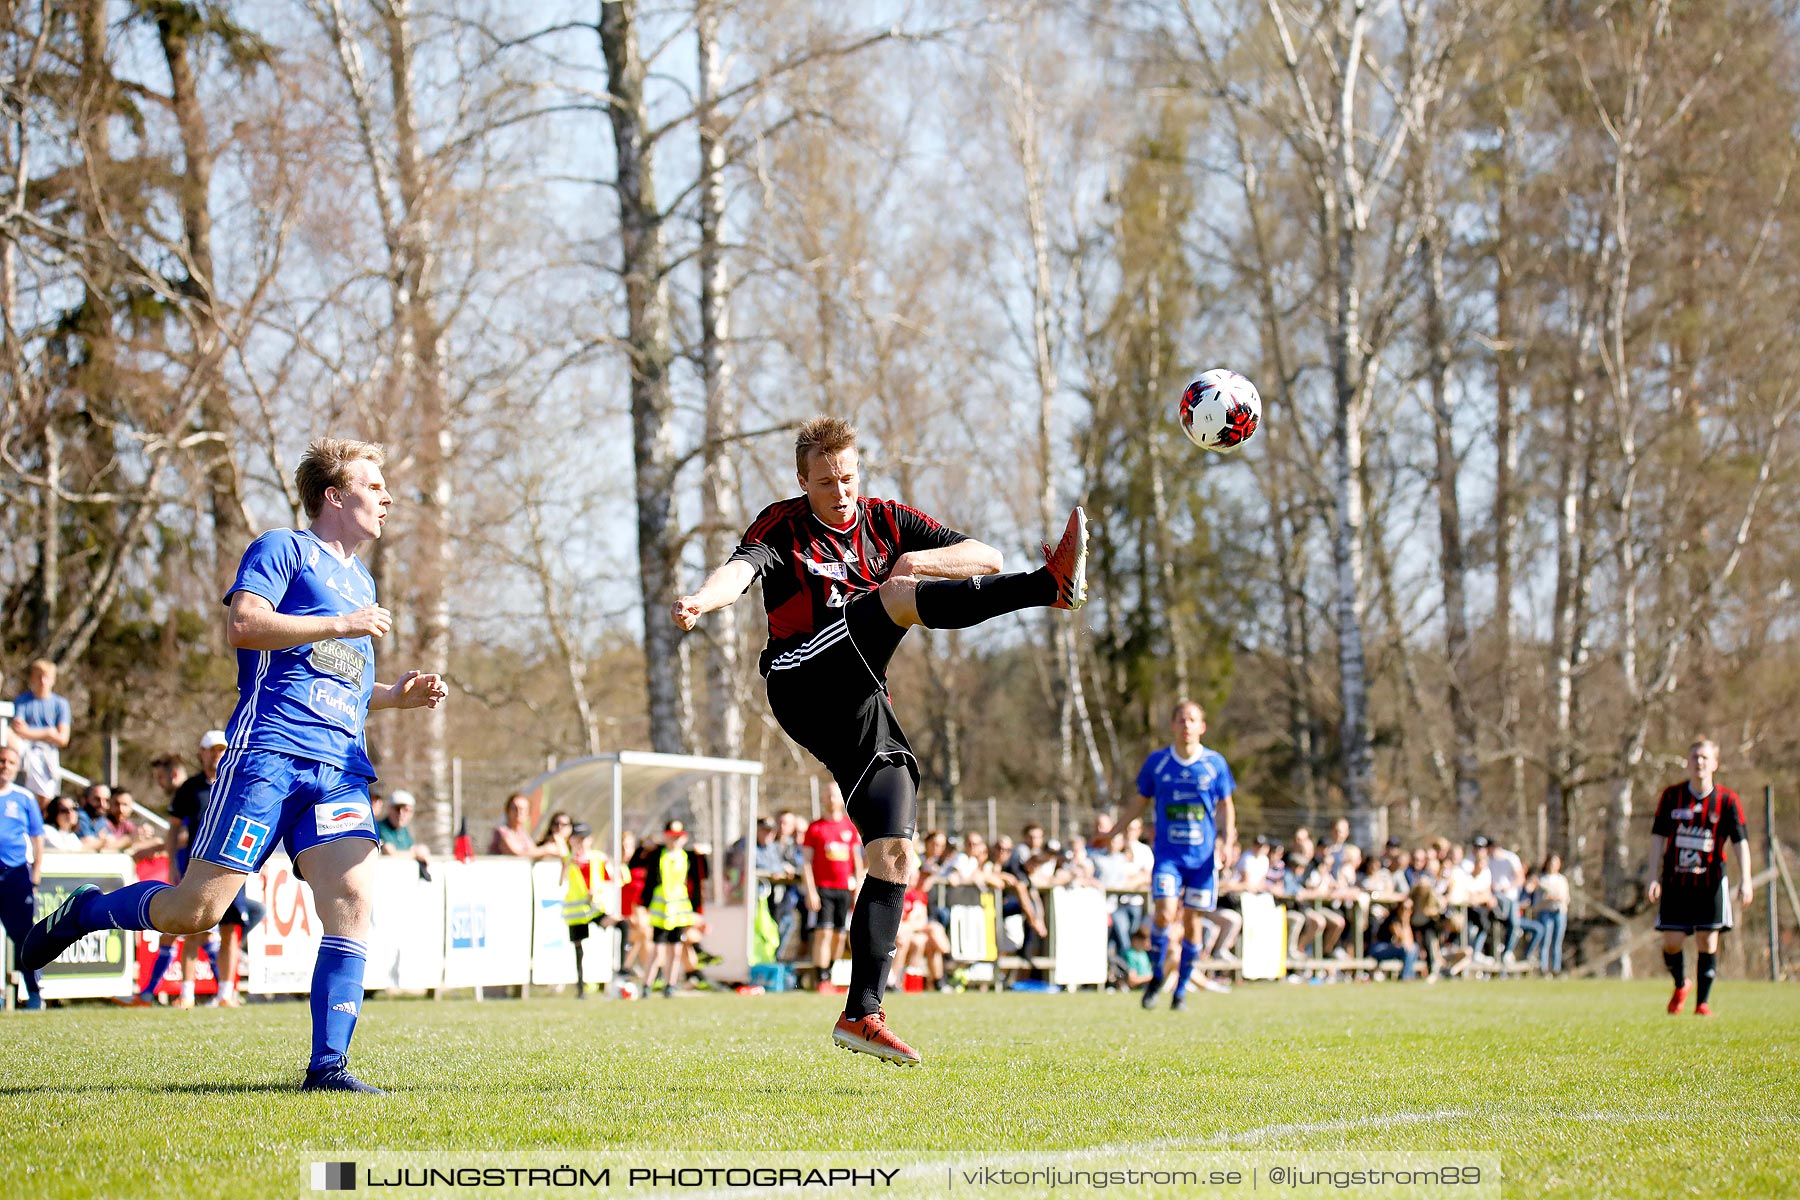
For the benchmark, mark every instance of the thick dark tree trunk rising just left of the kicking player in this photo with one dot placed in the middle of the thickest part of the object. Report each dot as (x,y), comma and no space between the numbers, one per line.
(649,348)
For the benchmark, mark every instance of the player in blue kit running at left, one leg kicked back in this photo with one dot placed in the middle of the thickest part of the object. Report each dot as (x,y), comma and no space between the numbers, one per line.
(296,773)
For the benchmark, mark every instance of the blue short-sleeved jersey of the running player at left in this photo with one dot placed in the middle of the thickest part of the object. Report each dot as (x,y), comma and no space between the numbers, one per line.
(309,701)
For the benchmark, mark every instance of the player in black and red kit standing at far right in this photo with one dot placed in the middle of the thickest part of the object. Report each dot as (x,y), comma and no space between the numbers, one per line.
(1696,821)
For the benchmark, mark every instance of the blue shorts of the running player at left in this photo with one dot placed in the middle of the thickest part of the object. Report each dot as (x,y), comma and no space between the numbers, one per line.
(267,798)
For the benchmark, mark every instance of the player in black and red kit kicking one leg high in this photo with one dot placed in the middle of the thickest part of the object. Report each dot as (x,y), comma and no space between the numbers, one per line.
(845,577)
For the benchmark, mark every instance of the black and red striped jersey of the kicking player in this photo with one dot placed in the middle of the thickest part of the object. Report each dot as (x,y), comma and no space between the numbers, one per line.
(811,571)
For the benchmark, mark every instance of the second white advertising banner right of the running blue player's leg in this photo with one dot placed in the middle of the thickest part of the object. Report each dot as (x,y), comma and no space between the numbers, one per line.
(487,924)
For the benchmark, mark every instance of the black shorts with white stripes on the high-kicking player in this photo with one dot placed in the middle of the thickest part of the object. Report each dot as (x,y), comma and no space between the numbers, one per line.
(831,695)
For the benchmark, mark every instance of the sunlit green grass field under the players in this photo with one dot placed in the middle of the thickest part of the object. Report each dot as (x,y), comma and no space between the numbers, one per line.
(1583,1089)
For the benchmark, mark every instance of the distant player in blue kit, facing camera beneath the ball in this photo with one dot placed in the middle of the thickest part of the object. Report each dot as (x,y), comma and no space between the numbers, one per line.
(1192,793)
